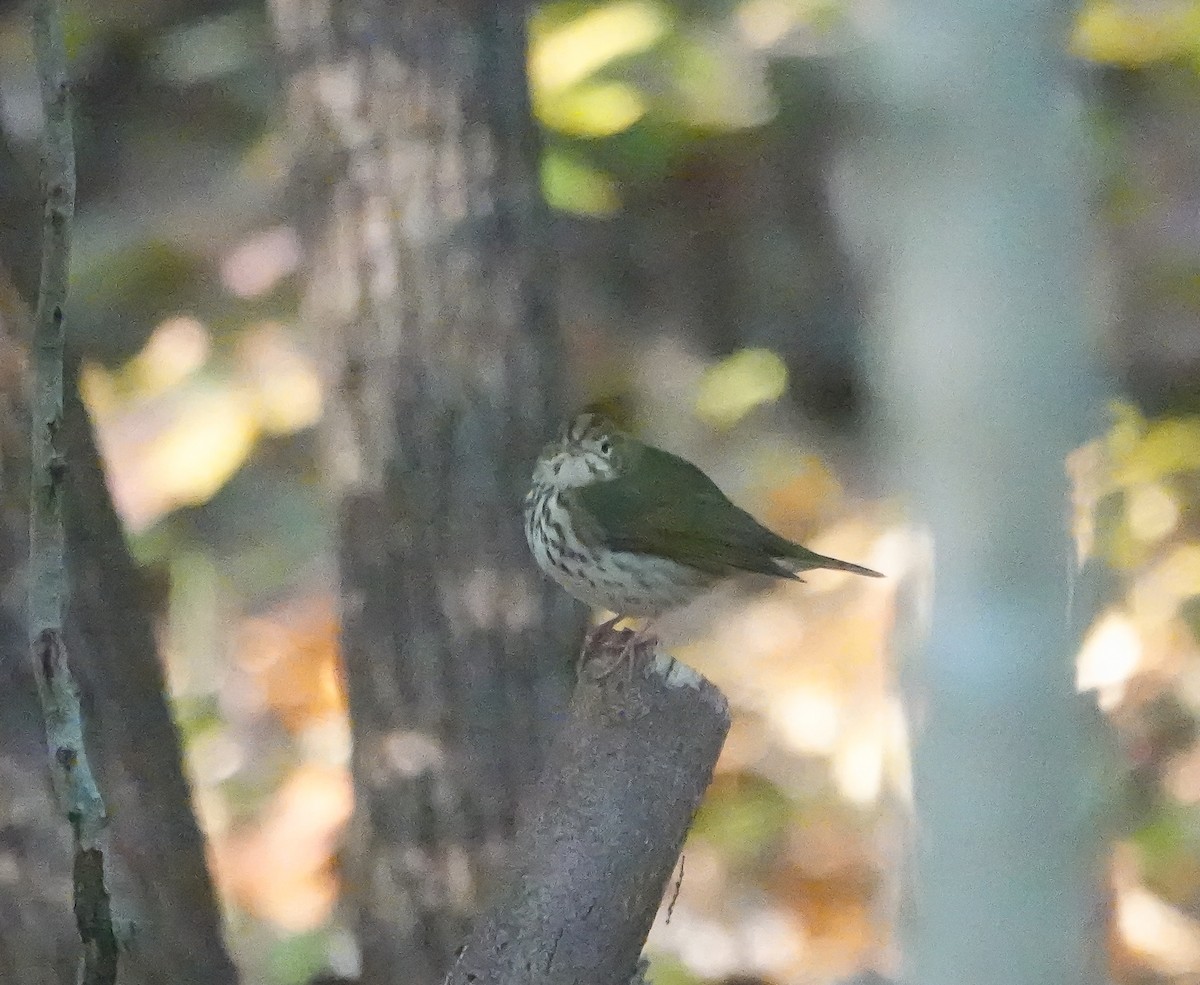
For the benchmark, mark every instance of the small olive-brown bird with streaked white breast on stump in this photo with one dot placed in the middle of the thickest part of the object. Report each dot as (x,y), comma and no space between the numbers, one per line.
(631,528)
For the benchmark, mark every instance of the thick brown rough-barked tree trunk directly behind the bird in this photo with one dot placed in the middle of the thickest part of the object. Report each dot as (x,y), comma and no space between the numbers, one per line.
(429,278)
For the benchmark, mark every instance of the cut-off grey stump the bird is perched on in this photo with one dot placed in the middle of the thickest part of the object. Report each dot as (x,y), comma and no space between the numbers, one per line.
(603,831)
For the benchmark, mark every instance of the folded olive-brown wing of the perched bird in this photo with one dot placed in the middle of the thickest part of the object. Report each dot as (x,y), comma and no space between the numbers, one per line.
(665,507)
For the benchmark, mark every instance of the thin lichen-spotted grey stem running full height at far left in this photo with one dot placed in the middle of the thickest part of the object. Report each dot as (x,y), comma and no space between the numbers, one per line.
(74,783)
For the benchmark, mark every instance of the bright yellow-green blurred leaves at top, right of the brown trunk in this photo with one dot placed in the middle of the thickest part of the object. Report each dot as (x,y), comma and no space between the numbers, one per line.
(626,87)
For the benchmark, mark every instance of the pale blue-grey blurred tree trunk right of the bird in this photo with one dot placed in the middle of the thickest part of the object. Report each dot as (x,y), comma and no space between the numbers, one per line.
(973,199)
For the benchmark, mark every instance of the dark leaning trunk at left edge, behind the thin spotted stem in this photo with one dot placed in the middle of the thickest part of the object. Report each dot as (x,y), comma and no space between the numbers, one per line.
(159,880)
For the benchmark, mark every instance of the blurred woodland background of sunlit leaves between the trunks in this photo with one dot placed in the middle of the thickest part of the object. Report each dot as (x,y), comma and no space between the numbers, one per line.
(707,297)
